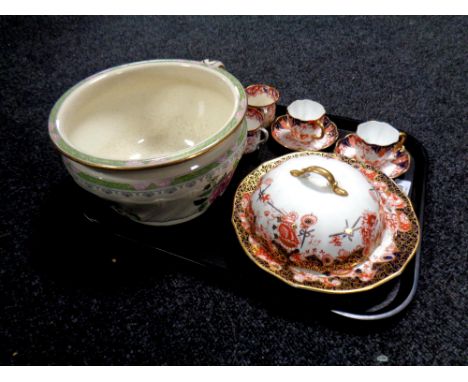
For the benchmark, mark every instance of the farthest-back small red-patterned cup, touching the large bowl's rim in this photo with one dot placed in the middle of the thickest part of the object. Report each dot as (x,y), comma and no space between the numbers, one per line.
(264,99)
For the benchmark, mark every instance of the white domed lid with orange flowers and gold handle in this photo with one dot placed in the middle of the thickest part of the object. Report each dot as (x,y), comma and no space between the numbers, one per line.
(300,209)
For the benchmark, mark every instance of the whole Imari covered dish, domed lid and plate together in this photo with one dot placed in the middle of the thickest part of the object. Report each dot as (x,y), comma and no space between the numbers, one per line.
(325,223)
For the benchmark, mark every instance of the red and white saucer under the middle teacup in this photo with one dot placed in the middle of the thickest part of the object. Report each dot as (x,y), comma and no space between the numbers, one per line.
(280,131)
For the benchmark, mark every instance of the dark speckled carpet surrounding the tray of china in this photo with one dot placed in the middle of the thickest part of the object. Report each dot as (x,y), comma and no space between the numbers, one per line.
(411,72)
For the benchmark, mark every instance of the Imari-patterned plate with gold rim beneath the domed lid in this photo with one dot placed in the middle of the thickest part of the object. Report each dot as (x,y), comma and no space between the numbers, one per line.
(399,241)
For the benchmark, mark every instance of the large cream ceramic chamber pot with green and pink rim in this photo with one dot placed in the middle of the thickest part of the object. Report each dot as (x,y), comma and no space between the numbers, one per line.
(159,138)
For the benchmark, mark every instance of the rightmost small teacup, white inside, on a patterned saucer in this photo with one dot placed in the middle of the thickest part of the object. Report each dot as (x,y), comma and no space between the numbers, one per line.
(382,136)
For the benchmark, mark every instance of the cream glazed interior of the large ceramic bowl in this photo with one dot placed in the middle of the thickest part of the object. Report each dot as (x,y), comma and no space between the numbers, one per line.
(146,111)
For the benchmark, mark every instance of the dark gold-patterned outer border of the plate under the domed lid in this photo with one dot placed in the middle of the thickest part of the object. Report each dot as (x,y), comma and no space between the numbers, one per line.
(406,242)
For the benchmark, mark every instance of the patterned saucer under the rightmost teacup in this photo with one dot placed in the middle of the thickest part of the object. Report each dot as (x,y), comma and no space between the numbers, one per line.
(391,163)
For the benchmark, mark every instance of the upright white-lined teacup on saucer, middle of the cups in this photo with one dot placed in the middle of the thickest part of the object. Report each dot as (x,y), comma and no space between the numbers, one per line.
(307,120)
